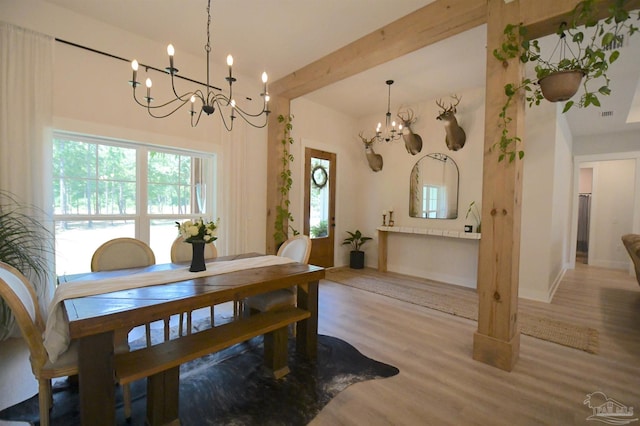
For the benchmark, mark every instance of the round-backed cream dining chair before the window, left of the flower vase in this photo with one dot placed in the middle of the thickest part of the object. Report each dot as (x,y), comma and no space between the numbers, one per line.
(122,253)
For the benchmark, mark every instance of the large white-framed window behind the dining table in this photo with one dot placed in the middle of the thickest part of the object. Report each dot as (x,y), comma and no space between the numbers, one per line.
(105,189)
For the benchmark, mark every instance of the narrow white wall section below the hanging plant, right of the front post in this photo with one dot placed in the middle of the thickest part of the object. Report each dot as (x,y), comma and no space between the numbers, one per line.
(546,202)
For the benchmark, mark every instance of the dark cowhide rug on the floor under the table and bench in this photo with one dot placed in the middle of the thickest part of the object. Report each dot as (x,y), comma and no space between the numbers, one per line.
(232,388)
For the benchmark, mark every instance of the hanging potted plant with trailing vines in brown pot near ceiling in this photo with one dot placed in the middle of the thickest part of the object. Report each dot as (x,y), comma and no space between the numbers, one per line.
(559,79)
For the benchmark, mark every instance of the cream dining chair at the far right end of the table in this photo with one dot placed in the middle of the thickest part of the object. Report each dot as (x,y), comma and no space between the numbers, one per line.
(297,248)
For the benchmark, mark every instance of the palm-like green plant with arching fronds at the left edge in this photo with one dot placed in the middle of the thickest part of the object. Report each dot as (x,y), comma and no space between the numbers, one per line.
(27,245)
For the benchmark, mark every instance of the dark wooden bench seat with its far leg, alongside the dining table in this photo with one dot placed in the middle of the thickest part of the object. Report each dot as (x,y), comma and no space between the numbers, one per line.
(170,354)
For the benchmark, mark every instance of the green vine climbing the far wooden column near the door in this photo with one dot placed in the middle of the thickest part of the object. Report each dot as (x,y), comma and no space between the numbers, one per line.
(283,214)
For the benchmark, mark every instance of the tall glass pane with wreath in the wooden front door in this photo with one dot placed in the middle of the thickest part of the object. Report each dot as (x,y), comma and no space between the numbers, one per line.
(319,198)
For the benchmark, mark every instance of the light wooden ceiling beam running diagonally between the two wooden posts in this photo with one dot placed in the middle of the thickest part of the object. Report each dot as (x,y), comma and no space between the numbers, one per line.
(428,25)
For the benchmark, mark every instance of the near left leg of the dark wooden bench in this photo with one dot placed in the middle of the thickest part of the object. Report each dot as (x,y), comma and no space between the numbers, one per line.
(162,398)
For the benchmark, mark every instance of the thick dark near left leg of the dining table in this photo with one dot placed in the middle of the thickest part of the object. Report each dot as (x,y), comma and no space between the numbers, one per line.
(96,378)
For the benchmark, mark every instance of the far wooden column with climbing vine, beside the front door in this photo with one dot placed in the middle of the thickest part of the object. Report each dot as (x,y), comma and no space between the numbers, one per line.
(279,106)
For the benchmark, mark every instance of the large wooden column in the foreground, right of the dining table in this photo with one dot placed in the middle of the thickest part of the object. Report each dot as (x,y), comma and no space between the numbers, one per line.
(497,341)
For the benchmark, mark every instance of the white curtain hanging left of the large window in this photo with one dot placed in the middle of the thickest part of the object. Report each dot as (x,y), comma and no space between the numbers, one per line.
(26,110)
